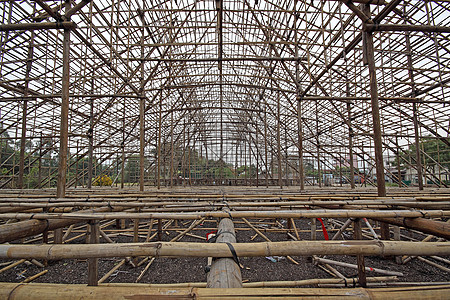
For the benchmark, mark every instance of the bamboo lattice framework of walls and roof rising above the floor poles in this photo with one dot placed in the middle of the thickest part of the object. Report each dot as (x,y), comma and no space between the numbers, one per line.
(208,77)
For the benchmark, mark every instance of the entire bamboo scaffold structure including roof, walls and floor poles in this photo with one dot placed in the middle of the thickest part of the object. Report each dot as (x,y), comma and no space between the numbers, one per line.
(316,108)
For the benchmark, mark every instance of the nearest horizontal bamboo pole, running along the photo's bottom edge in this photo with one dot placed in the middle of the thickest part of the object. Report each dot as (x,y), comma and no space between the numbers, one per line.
(36,291)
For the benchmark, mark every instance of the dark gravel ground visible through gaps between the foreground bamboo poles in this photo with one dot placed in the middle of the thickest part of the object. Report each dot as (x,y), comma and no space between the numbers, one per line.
(177,270)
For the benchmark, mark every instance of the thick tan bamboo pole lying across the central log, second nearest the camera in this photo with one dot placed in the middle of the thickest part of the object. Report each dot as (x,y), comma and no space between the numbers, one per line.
(183,249)
